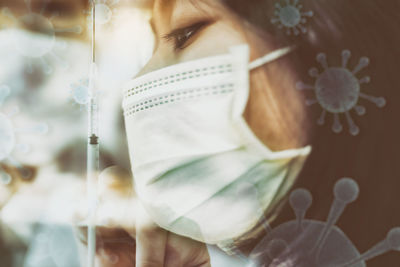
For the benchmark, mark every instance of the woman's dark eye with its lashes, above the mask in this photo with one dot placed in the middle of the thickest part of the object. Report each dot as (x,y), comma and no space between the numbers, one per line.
(182,35)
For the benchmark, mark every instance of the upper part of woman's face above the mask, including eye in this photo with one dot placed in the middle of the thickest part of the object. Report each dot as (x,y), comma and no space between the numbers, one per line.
(186,30)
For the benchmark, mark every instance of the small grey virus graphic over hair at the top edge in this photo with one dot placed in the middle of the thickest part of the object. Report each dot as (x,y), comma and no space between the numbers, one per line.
(291,17)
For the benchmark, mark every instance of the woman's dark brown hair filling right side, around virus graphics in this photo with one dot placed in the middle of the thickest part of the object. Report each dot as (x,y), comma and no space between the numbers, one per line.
(366,28)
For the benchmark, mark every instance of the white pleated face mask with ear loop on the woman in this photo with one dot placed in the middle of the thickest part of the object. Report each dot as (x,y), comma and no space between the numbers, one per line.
(193,155)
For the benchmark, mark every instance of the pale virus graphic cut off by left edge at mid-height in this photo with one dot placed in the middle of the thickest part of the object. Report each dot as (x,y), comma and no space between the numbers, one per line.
(9,136)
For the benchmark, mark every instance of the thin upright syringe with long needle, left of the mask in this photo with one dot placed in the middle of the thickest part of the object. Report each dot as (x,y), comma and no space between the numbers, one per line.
(92,148)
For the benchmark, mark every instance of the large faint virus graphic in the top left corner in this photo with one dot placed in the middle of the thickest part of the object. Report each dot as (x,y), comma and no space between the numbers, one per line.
(35,46)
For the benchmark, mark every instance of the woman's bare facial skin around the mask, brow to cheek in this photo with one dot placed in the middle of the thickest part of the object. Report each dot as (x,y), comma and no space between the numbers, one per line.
(186,30)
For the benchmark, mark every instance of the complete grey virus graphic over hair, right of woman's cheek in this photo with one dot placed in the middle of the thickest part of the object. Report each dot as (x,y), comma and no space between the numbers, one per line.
(338,90)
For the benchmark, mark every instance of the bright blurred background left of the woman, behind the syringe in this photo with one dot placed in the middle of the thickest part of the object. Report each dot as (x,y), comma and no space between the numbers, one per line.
(44,63)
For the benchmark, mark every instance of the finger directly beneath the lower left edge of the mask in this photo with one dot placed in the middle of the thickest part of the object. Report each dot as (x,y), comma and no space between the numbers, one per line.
(151,241)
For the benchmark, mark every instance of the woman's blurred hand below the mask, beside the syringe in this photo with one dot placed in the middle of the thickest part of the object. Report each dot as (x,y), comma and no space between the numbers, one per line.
(128,236)
